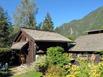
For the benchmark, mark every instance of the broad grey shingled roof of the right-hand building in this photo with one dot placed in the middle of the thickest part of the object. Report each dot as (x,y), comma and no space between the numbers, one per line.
(92,42)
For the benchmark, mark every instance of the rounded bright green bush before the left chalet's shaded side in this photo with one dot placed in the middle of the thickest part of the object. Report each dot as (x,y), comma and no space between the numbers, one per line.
(55,56)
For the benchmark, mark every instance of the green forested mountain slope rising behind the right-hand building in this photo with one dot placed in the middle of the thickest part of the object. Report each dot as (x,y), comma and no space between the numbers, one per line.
(75,28)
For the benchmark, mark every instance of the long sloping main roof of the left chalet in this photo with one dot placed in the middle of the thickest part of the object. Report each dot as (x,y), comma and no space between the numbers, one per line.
(45,35)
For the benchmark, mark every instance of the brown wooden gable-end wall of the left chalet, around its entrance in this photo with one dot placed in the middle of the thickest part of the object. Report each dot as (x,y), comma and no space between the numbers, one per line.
(28,51)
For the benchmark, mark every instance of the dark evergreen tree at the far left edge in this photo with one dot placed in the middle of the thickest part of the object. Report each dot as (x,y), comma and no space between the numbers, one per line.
(4,26)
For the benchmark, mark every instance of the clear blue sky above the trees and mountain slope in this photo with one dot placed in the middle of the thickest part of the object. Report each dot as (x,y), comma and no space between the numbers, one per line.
(61,11)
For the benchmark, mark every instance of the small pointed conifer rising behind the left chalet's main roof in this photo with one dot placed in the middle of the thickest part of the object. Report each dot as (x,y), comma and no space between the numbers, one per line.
(47,23)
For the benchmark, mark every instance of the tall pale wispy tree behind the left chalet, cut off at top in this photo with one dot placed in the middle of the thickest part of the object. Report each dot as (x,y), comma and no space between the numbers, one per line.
(25,14)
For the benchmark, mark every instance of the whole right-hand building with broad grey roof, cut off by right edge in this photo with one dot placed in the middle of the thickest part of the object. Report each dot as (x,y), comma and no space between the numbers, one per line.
(89,46)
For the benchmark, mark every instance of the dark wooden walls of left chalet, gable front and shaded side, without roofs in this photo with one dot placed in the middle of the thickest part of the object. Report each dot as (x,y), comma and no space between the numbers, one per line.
(27,54)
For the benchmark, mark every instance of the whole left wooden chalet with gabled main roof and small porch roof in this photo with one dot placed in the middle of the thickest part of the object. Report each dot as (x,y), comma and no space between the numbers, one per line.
(29,43)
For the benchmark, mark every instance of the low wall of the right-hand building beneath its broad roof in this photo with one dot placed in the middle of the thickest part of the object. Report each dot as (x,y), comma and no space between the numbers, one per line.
(90,56)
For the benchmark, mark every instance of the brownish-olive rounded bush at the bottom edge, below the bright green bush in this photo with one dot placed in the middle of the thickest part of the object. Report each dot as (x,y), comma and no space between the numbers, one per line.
(55,71)
